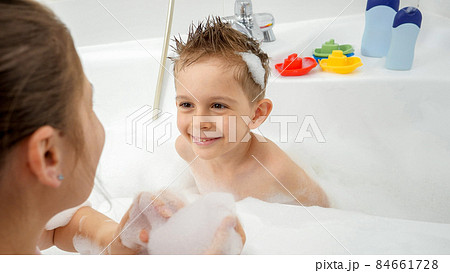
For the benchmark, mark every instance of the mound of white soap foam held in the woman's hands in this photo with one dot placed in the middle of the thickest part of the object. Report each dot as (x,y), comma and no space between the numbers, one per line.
(193,228)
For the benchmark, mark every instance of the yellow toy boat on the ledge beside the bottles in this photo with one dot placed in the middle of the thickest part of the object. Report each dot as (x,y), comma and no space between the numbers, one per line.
(339,63)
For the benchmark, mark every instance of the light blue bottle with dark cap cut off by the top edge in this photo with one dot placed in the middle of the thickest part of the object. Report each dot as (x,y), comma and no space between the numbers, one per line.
(377,32)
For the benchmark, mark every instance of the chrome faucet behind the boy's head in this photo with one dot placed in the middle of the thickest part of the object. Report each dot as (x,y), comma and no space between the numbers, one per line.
(255,25)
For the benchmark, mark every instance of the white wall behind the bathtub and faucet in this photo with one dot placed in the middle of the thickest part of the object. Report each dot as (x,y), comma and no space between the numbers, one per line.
(92,24)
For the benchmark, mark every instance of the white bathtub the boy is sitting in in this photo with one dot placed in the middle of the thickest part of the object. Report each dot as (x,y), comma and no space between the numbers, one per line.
(384,164)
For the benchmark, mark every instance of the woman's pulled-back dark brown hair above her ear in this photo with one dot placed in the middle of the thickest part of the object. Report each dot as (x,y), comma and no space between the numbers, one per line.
(40,74)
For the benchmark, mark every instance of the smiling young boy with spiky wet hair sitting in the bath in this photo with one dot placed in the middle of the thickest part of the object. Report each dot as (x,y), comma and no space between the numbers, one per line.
(221,76)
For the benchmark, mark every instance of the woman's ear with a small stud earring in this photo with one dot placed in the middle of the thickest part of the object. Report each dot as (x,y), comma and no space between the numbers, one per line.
(43,156)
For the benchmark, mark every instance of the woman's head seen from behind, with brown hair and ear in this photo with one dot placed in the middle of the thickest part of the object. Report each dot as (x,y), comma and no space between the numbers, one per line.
(46,115)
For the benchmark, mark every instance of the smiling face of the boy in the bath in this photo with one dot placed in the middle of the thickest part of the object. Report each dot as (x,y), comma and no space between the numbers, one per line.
(208,95)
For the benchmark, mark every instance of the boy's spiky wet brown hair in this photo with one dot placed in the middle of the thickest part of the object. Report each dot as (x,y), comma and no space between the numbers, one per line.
(215,38)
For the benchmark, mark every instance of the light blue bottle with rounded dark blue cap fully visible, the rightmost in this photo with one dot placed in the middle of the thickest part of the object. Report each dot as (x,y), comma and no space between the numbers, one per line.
(405,30)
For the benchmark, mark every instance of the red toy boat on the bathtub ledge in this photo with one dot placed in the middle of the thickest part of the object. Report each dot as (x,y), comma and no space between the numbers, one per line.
(295,66)
